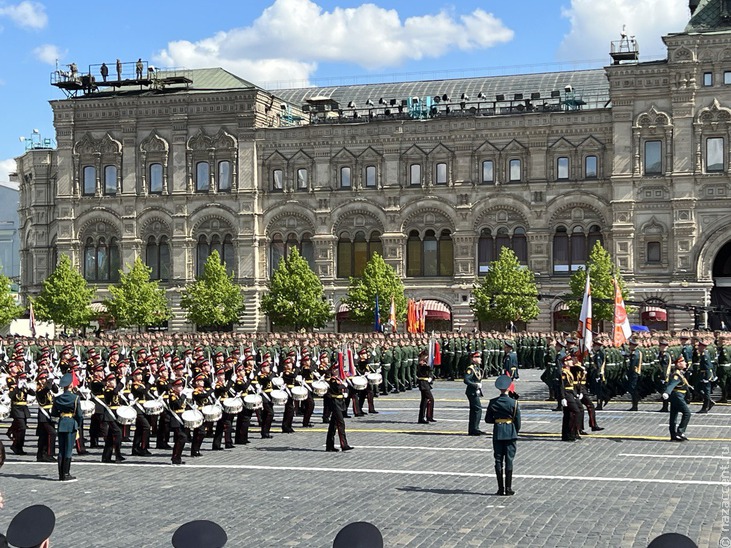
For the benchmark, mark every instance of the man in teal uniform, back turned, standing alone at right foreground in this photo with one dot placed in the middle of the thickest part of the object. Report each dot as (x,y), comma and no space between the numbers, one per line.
(504,414)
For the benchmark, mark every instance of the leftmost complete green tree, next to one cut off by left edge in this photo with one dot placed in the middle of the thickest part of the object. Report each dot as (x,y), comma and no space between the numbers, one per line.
(65,298)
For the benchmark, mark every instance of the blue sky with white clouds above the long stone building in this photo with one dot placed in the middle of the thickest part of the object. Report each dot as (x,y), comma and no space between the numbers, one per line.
(283,43)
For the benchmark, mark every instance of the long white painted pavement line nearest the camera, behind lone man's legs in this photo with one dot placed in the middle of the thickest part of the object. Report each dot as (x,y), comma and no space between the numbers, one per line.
(628,481)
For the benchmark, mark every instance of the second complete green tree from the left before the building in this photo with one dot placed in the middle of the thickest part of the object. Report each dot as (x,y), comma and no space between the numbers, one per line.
(137,301)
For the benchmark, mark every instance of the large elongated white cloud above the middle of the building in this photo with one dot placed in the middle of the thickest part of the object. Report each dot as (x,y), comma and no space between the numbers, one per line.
(290,37)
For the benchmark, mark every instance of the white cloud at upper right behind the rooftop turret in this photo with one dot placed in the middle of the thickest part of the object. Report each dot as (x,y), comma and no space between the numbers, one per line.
(595,24)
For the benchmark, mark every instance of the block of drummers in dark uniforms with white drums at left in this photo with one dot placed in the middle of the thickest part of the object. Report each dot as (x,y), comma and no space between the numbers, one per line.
(110,385)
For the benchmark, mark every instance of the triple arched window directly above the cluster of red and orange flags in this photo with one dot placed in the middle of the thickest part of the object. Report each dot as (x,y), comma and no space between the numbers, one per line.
(431,256)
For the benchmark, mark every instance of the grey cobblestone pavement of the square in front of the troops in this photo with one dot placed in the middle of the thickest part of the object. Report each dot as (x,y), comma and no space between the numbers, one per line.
(422,485)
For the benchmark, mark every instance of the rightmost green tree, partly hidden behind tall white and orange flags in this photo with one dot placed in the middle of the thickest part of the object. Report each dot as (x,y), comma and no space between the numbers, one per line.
(601,271)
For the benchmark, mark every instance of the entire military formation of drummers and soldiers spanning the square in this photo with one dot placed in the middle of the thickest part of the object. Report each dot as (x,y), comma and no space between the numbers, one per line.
(167,392)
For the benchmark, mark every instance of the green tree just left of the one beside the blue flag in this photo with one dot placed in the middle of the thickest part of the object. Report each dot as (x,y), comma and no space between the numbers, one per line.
(296,296)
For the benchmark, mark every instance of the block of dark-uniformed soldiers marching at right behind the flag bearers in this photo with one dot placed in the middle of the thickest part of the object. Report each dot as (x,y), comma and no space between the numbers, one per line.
(642,366)
